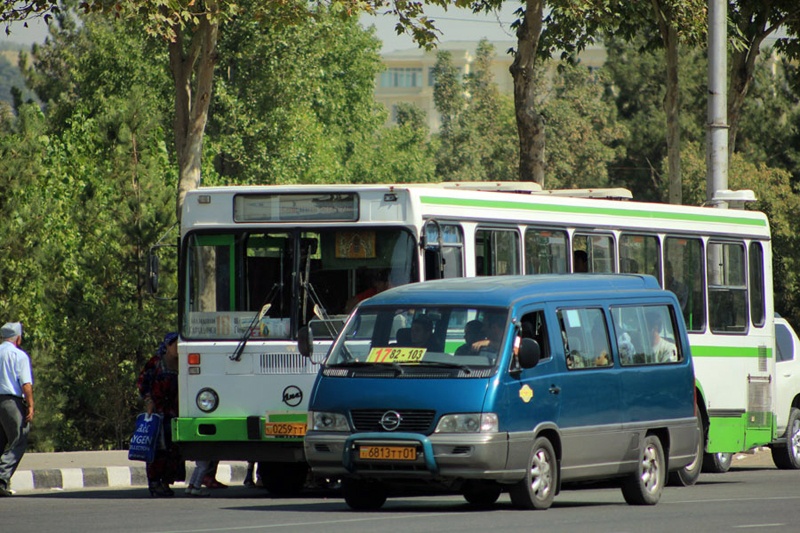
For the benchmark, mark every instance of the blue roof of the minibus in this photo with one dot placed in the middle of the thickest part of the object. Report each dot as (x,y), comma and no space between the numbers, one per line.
(503,291)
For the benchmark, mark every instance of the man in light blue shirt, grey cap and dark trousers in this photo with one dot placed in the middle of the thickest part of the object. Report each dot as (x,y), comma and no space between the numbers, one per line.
(16,402)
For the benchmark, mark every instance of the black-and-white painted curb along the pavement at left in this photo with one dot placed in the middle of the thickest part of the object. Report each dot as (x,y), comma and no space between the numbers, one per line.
(107,476)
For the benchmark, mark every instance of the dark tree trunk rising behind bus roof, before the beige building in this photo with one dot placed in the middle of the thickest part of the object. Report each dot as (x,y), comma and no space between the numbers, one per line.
(530,123)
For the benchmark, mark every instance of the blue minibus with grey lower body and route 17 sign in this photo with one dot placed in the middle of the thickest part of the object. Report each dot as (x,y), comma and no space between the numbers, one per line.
(507,384)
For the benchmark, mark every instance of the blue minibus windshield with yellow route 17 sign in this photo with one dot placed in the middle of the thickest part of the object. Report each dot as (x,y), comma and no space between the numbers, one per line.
(450,337)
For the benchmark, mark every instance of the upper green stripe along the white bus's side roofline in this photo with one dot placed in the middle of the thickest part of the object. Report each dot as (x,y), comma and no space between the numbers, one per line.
(586,210)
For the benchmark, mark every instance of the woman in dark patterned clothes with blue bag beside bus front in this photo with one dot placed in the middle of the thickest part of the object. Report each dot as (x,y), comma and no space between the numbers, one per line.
(158,387)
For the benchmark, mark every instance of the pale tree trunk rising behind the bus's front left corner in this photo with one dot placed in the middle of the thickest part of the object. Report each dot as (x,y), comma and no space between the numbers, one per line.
(195,65)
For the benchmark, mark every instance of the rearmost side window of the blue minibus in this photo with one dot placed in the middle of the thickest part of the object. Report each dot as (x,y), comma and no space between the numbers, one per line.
(646,335)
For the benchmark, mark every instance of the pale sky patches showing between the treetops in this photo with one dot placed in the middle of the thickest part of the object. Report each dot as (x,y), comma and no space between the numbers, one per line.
(455,24)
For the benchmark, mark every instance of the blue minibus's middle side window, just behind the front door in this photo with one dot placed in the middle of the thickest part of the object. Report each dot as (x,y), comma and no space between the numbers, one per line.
(585,337)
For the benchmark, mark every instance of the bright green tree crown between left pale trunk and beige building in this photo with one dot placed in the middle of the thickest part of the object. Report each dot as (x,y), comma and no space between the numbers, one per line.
(296,102)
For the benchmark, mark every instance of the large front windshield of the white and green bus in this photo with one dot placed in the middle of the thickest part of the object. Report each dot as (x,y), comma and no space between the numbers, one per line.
(269,283)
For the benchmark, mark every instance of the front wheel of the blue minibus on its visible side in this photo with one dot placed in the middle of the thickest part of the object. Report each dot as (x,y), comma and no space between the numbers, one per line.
(538,488)
